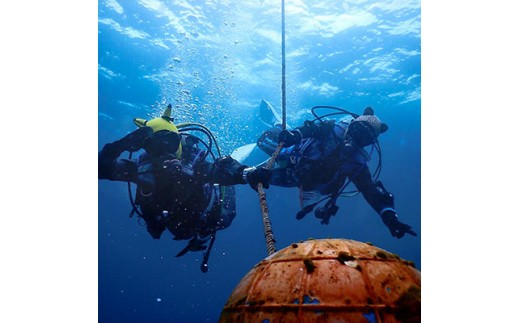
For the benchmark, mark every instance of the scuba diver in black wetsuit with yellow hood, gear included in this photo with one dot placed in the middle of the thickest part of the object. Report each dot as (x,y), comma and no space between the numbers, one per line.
(177,188)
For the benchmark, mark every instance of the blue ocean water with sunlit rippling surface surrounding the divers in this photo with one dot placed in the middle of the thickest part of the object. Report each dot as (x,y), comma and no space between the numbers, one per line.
(214,61)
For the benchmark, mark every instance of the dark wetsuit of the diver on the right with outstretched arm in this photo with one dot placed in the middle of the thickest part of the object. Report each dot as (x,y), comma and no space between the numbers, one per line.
(322,162)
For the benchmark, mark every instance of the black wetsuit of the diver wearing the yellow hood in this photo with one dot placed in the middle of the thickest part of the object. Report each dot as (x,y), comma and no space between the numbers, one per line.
(190,197)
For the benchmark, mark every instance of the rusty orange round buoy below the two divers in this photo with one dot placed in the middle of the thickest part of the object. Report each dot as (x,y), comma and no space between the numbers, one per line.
(328,280)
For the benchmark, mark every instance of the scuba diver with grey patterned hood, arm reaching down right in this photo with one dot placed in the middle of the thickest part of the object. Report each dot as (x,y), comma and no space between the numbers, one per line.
(323,157)
